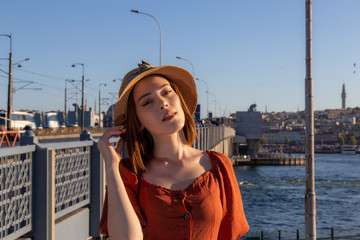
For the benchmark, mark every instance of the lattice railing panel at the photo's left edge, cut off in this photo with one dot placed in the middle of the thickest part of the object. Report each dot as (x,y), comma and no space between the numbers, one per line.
(15,194)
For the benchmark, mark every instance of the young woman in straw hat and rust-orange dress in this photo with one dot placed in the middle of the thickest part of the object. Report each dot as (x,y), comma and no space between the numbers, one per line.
(165,189)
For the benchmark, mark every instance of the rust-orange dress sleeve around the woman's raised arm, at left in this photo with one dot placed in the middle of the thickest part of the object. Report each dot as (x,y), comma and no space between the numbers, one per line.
(132,188)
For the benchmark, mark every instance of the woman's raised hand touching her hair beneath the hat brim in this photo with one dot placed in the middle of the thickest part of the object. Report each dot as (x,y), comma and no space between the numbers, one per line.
(111,156)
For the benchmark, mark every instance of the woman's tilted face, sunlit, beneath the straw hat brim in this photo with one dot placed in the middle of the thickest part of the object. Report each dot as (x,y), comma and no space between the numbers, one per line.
(158,107)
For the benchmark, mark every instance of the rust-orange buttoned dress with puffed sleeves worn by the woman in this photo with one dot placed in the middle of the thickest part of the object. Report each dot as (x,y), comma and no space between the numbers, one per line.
(209,208)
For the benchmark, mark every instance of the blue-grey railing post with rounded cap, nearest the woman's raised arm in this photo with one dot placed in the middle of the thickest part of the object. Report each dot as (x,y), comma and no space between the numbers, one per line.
(97,184)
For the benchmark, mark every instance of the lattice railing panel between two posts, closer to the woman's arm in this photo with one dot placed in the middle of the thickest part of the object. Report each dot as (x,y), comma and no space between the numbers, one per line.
(72,177)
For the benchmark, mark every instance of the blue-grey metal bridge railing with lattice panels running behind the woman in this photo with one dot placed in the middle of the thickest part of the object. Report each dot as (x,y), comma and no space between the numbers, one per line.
(43,184)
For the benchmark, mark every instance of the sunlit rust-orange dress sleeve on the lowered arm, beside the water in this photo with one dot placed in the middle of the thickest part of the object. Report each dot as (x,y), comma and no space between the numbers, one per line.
(234,224)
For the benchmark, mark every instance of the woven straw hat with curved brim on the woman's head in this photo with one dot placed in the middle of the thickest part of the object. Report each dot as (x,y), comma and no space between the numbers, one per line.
(180,76)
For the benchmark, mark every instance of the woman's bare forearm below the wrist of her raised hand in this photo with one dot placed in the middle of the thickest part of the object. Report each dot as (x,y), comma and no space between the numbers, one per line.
(123,222)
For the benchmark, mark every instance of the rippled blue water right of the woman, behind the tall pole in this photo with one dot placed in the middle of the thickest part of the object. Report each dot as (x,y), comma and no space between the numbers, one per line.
(273,197)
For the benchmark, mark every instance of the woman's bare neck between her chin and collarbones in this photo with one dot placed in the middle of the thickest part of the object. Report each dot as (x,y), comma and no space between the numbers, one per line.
(172,147)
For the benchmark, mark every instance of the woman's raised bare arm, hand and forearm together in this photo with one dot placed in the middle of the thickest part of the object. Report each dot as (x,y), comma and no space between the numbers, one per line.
(123,222)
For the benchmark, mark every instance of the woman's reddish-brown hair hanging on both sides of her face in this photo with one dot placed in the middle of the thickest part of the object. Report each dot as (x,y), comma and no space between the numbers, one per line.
(140,144)
